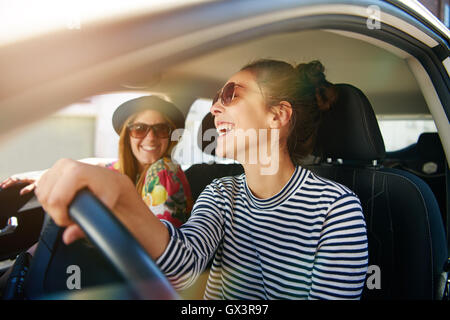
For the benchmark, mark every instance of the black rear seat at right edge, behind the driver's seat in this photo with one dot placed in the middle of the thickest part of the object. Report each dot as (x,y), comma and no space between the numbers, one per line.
(425,159)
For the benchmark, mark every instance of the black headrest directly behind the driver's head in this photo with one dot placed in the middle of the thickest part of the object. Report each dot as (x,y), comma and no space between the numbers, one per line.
(349,130)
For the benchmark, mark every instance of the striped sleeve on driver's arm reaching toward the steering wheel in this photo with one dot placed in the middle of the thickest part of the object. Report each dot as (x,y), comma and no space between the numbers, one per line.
(194,243)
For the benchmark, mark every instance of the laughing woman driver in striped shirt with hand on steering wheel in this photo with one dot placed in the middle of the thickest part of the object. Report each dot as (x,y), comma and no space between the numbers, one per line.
(278,231)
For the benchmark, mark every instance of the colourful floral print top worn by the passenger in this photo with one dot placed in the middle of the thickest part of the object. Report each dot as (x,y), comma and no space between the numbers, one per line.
(166,191)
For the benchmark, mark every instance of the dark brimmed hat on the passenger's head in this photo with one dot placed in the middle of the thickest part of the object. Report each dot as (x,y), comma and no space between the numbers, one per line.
(130,107)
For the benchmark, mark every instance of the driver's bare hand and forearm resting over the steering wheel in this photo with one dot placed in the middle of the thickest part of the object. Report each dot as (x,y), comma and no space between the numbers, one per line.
(58,186)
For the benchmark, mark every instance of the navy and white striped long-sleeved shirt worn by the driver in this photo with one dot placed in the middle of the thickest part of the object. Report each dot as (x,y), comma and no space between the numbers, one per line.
(309,241)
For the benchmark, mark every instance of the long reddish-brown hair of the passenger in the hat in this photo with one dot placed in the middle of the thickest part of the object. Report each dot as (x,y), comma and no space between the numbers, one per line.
(128,164)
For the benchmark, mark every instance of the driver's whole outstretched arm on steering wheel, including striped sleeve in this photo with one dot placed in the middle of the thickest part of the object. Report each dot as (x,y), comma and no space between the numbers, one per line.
(180,253)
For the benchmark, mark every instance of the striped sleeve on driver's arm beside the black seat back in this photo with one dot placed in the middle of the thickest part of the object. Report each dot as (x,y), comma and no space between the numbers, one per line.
(341,260)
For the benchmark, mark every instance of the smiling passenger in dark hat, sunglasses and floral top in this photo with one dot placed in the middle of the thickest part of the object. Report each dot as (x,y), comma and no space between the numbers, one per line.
(144,125)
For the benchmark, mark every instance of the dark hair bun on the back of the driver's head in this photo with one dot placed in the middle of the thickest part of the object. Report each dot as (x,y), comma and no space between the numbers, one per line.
(312,73)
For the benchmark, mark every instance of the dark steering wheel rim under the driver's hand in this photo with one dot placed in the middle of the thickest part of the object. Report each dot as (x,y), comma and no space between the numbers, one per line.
(120,247)
